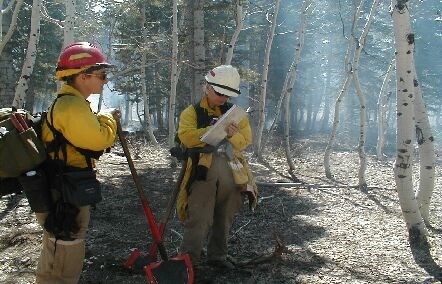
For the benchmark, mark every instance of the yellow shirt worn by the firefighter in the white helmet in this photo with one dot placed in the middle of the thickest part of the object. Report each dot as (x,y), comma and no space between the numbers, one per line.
(190,137)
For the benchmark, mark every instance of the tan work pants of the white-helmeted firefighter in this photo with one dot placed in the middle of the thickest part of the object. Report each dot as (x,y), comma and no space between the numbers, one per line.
(212,204)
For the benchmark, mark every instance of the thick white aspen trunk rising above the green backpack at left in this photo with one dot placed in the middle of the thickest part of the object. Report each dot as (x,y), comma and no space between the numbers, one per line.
(31,54)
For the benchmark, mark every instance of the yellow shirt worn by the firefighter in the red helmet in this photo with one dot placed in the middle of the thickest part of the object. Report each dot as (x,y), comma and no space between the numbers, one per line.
(73,117)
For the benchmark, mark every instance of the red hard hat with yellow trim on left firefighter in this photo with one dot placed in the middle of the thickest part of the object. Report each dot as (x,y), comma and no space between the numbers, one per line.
(78,57)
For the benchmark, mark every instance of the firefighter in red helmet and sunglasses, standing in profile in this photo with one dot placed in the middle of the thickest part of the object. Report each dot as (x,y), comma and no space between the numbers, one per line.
(82,67)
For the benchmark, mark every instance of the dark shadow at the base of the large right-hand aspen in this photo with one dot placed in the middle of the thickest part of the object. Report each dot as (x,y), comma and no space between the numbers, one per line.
(420,248)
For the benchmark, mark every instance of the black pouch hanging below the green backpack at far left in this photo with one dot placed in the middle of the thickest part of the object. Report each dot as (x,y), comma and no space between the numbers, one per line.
(36,188)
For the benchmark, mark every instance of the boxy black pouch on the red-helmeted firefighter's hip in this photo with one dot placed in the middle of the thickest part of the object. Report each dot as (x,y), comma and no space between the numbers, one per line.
(80,188)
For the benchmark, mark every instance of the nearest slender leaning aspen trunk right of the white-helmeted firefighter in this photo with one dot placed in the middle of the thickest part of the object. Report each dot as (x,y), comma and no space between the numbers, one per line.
(262,103)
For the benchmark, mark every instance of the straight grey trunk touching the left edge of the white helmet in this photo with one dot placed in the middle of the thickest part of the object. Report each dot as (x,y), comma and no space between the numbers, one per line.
(199,52)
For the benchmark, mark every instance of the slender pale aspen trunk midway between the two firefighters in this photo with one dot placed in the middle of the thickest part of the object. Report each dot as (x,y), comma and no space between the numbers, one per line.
(148,129)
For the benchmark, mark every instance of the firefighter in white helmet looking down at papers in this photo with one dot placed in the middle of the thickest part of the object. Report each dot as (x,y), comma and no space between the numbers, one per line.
(209,196)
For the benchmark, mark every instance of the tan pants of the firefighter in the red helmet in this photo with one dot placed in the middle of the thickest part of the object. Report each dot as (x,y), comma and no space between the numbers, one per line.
(60,261)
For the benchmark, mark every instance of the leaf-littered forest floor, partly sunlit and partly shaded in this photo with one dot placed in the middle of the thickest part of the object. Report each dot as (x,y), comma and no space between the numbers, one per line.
(330,230)
